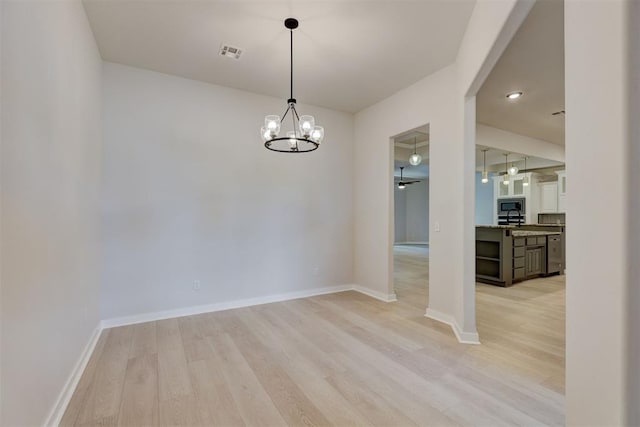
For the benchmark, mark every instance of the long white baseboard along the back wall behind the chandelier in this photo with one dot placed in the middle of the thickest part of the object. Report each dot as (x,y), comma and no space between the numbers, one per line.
(209,308)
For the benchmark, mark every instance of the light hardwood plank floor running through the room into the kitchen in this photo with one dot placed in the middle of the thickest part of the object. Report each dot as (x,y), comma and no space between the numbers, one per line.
(341,359)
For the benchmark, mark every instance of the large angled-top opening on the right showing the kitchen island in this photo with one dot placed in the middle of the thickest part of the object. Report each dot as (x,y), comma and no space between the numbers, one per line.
(521,188)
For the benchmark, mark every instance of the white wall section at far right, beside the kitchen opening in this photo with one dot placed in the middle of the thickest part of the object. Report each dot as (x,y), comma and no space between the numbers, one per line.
(598,139)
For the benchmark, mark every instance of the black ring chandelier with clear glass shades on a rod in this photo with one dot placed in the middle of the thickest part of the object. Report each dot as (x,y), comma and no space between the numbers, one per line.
(305,136)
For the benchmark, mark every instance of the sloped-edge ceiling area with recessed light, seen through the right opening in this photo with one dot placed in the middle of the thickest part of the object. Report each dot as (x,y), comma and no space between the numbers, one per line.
(534,64)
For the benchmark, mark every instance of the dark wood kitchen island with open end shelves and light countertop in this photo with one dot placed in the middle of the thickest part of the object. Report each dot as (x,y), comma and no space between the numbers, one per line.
(508,254)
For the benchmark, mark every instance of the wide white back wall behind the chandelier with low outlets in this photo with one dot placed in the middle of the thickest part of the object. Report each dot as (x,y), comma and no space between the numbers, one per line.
(190,193)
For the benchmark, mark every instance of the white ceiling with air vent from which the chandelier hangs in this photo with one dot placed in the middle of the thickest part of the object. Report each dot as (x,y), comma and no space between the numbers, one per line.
(347,54)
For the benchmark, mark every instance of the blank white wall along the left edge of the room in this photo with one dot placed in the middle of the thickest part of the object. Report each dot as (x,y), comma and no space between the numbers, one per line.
(50,170)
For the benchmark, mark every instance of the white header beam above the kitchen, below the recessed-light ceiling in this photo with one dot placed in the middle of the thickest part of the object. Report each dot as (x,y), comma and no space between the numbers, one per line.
(489,136)
